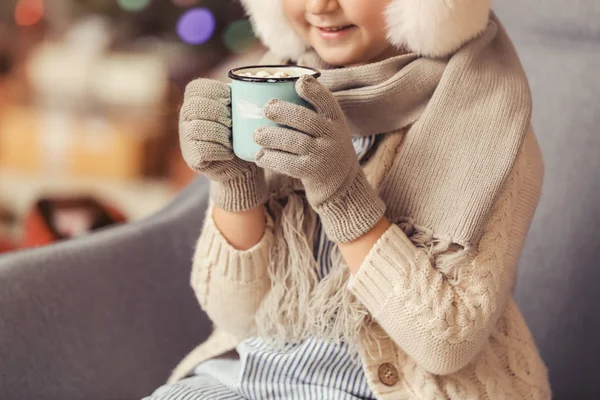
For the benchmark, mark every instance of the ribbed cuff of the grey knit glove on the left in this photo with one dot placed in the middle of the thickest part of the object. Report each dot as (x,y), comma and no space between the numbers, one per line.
(242,193)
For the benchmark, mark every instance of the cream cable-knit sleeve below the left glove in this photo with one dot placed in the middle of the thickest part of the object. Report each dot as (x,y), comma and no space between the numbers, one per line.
(229,283)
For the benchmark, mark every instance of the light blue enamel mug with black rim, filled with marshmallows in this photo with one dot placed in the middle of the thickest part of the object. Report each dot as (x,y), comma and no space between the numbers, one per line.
(249,94)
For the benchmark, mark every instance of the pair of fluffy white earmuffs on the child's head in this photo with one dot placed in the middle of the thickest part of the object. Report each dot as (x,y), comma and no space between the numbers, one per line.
(433,28)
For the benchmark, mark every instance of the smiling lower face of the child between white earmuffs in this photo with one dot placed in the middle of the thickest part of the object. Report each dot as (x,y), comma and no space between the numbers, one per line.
(342,32)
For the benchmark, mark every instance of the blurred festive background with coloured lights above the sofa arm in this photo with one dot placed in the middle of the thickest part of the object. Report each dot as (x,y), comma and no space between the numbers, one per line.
(89,96)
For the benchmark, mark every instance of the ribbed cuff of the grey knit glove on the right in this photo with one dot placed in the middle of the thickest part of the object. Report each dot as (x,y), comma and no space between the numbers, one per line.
(353,212)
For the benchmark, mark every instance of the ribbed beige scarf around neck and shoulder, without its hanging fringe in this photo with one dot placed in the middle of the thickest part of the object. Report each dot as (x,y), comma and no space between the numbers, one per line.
(466,115)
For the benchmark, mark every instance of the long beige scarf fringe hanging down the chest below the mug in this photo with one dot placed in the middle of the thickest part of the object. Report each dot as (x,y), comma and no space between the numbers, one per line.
(299,305)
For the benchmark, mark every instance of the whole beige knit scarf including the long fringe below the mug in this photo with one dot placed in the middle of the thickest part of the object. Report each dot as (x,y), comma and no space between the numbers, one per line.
(466,118)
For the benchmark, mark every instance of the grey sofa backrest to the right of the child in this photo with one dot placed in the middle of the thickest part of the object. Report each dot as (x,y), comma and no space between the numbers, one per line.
(558,288)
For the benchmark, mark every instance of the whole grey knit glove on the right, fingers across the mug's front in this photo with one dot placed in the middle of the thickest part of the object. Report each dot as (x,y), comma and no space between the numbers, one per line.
(316,147)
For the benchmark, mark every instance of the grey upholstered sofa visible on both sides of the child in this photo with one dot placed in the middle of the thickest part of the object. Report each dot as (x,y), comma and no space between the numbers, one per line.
(108,316)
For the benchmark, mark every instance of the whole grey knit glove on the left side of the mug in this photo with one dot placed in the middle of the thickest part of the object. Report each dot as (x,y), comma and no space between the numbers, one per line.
(205,139)
